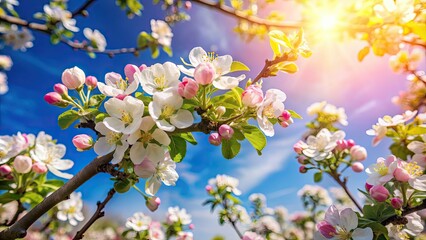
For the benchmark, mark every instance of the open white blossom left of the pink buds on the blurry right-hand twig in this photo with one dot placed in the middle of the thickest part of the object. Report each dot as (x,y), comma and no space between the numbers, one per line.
(319,147)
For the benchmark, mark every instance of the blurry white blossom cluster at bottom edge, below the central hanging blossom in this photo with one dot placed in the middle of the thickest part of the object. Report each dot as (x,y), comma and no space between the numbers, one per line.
(177,224)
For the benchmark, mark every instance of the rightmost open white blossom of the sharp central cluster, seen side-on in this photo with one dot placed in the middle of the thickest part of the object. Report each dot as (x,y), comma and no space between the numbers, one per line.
(271,107)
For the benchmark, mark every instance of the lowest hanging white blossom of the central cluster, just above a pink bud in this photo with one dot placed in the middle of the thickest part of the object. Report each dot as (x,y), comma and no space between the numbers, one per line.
(165,171)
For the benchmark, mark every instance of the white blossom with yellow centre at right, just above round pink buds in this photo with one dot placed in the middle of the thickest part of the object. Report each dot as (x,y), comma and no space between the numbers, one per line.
(381,172)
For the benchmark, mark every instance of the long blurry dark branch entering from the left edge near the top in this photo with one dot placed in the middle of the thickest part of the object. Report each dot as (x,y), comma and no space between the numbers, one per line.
(74,45)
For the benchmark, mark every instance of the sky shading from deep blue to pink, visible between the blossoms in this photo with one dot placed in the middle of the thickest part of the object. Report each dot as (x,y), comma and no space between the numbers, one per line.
(332,73)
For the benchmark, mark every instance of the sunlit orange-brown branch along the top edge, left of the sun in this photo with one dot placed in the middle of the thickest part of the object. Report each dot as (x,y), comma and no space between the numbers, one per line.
(241,16)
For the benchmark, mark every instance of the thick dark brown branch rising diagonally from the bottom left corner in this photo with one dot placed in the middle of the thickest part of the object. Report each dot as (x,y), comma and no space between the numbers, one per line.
(19,229)
